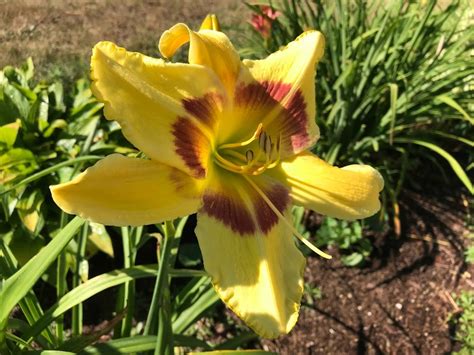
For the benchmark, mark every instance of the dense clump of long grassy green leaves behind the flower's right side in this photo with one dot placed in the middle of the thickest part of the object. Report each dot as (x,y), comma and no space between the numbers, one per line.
(394,88)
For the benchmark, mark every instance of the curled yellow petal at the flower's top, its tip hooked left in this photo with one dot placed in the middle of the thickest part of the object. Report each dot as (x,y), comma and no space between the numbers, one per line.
(207,47)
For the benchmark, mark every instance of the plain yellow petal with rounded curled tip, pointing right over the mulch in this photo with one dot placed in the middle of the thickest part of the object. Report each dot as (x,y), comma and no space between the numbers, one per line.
(350,192)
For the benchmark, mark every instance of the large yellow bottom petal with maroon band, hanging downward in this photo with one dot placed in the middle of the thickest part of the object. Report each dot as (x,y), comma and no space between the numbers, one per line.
(250,253)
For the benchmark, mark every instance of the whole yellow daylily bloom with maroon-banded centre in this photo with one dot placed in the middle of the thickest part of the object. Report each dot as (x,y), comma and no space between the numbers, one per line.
(230,140)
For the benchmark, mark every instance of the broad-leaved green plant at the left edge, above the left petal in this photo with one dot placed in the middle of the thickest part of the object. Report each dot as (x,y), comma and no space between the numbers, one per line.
(40,133)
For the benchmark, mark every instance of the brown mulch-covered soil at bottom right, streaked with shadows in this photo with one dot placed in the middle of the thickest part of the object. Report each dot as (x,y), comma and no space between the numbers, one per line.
(400,303)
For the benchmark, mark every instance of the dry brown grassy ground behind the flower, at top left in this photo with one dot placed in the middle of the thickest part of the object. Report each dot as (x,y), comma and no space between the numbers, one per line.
(59,34)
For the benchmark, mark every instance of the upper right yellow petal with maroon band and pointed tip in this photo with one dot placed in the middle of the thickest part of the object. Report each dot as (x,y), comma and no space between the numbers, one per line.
(279,93)
